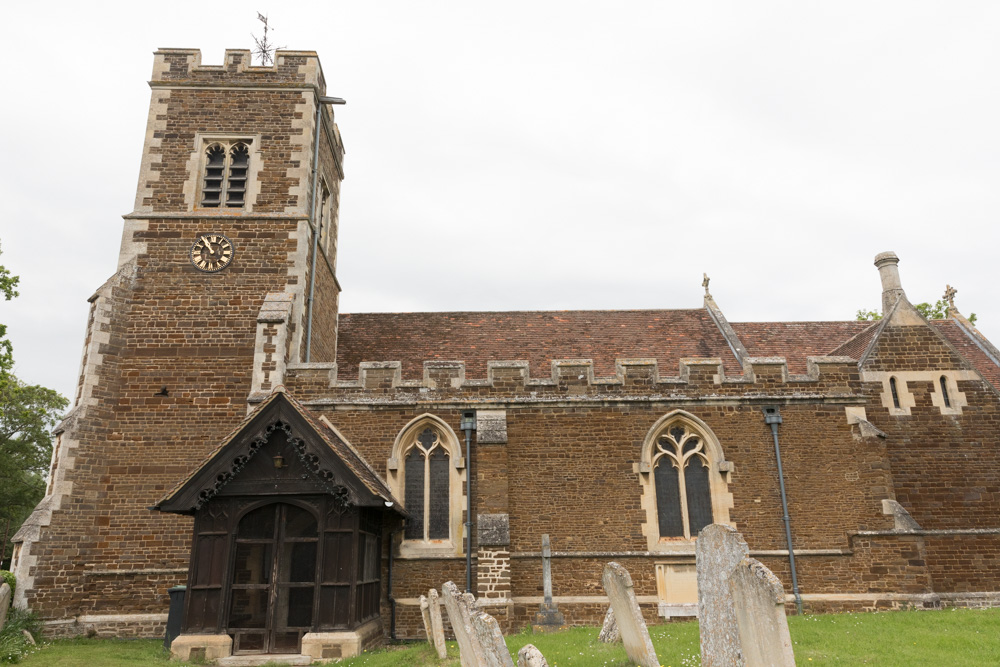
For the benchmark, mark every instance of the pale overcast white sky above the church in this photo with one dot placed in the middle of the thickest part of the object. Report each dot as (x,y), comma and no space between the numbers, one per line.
(548,155)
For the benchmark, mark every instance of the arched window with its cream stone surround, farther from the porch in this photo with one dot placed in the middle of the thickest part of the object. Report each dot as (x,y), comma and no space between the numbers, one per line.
(684,477)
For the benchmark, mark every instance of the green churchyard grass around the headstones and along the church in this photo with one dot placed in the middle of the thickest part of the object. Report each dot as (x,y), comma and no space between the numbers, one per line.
(904,639)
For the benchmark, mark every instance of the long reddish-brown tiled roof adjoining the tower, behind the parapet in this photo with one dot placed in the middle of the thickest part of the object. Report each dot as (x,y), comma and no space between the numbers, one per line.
(535,336)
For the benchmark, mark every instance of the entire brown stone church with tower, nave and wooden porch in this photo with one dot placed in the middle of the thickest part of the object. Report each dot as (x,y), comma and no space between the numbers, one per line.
(309,474)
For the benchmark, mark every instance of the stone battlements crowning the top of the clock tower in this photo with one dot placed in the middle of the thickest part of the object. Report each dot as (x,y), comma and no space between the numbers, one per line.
(173,67)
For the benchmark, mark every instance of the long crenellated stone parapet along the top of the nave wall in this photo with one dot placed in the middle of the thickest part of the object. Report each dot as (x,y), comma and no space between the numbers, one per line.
(827,377)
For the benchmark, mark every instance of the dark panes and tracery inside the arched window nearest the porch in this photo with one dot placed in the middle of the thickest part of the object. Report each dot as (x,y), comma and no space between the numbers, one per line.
(426,487)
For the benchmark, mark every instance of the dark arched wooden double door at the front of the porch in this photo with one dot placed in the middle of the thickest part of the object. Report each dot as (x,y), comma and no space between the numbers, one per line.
(273,583)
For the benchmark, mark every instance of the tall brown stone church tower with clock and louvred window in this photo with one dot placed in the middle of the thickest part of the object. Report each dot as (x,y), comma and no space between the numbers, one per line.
(229,179)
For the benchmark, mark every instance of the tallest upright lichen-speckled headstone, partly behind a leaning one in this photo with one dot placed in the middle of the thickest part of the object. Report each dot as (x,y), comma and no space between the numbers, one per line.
(718,550)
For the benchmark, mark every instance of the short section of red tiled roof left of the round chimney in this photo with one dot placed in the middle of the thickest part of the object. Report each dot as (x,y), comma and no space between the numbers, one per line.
(796,340)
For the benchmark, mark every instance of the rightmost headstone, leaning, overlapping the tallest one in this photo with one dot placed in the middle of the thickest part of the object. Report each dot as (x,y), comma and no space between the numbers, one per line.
(759,604)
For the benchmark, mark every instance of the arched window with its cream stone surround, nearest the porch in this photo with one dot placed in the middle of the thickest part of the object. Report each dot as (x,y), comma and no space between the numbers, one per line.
(427,473)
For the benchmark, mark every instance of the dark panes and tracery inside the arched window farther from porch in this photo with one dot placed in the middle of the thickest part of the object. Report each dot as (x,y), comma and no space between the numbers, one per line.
(681,477)
